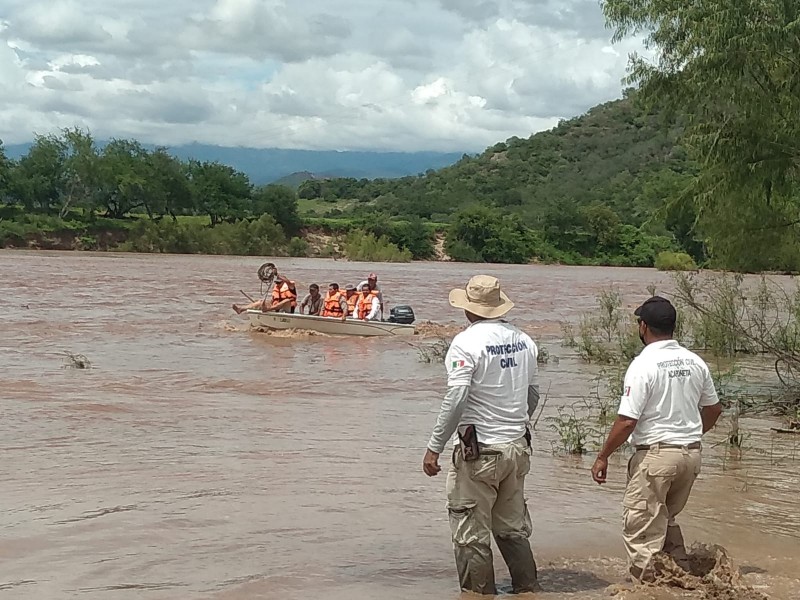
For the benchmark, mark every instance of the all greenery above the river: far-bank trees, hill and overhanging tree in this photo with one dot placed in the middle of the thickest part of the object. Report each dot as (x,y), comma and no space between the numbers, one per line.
(698,164)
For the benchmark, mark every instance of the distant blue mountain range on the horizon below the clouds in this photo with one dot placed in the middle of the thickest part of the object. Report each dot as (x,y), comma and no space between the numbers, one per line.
(271,164)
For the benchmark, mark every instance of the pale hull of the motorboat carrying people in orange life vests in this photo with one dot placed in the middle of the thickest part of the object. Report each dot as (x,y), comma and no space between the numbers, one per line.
(328,325)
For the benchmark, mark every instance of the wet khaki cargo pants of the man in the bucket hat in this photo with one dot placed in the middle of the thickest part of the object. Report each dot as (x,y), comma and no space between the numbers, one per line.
(486,497)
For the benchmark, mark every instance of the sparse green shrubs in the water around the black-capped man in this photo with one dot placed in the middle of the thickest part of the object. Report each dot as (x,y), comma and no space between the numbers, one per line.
(723,317)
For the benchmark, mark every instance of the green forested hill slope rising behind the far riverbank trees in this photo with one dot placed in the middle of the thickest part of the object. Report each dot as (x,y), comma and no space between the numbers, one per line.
(613,155)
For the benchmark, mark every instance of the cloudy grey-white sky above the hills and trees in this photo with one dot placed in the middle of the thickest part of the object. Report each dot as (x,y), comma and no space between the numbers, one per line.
(449,75)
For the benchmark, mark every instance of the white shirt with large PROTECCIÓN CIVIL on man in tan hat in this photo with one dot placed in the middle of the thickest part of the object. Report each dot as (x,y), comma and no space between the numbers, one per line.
(498,363)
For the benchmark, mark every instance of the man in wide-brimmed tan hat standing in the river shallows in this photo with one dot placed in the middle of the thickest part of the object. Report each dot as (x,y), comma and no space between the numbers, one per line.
(491,395)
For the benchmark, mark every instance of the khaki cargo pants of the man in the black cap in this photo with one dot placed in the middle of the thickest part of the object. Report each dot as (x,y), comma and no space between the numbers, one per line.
(659,483)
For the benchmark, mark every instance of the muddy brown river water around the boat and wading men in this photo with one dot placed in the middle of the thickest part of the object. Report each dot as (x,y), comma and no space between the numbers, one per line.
(198,459)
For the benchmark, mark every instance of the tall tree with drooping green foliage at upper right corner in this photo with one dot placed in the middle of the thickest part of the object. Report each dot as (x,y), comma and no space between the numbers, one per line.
(730,71)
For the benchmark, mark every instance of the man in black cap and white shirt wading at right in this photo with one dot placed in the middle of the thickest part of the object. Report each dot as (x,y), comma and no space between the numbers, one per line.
(668,403)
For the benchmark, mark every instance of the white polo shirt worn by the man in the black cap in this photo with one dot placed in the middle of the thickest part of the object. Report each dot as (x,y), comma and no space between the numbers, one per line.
(665,388)
